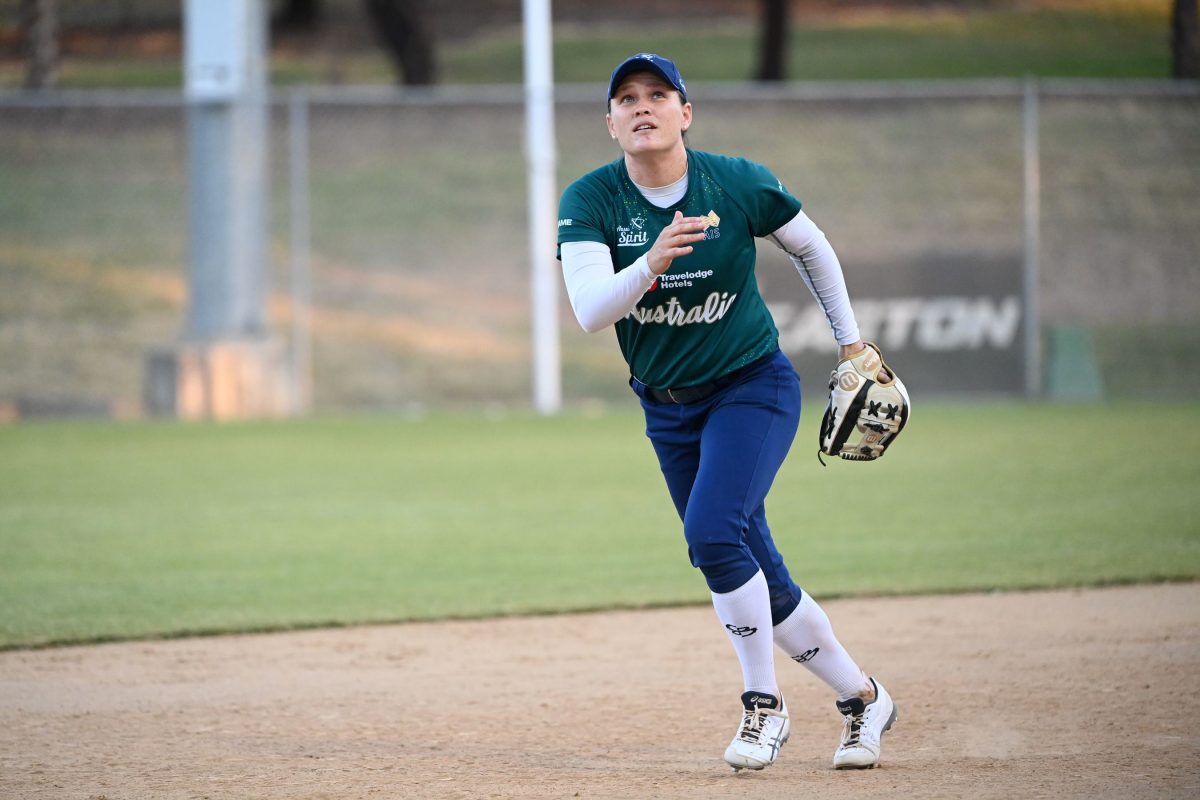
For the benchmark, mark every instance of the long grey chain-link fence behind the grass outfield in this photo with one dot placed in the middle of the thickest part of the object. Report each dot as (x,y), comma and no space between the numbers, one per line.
(421,288)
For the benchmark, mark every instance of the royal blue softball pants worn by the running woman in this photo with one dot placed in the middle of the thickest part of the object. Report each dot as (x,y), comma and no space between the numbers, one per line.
(719,458)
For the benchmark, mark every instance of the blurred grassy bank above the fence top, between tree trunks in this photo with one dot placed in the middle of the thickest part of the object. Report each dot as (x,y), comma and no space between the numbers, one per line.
(1109,39)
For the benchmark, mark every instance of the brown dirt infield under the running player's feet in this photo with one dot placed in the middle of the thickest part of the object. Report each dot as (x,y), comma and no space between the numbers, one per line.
(1040,695)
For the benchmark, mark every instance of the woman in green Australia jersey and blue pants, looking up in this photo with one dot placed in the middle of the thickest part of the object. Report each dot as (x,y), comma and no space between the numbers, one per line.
(661,244)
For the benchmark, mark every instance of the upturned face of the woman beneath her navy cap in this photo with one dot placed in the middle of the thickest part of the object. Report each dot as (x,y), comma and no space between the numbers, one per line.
(646,116)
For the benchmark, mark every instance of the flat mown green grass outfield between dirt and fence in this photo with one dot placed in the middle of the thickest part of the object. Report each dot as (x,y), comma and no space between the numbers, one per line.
(128,531)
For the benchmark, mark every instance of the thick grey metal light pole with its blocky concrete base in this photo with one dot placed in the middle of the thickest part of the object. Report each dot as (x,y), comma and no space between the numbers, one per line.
(227,365)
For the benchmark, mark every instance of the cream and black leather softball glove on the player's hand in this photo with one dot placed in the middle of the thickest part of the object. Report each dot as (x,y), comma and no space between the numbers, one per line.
(868,402)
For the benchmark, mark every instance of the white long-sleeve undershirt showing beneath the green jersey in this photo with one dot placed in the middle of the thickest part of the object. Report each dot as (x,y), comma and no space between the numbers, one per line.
(601,297)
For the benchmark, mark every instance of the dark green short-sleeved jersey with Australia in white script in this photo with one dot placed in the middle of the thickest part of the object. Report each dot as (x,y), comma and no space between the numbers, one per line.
(704,317)
